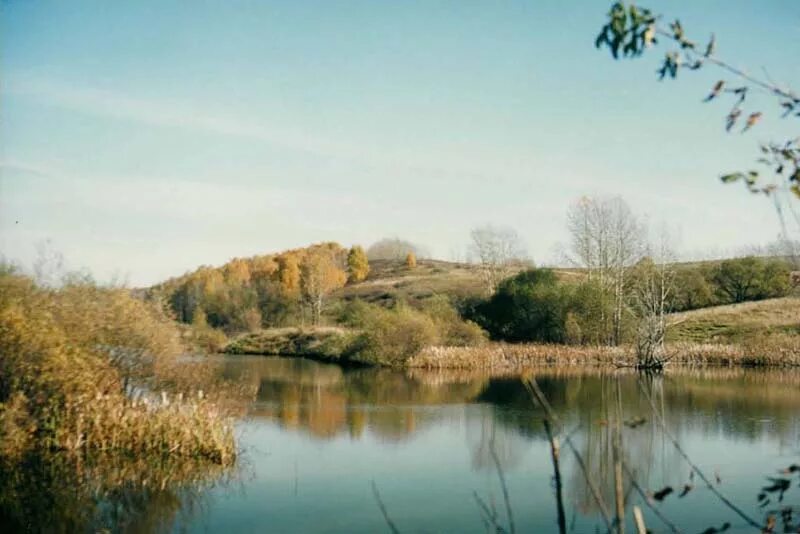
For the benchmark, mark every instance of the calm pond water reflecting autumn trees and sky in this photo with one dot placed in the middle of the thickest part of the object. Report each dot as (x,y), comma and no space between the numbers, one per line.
(316,436)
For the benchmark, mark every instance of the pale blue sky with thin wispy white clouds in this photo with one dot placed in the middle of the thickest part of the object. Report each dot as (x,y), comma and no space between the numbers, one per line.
(143,139)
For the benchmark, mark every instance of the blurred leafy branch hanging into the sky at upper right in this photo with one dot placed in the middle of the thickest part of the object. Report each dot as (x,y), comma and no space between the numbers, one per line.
(631,30)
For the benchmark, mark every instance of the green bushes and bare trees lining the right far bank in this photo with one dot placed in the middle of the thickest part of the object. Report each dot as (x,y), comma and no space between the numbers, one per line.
(622,288)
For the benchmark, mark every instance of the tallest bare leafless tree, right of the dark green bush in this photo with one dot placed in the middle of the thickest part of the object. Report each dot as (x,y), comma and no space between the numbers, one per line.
(606,239)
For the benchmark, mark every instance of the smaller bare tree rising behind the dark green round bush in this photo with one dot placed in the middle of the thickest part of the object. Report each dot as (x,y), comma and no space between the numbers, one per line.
(496,249)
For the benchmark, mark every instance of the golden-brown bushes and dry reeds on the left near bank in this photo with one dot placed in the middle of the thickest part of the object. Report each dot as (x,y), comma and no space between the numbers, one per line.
(69,359)
